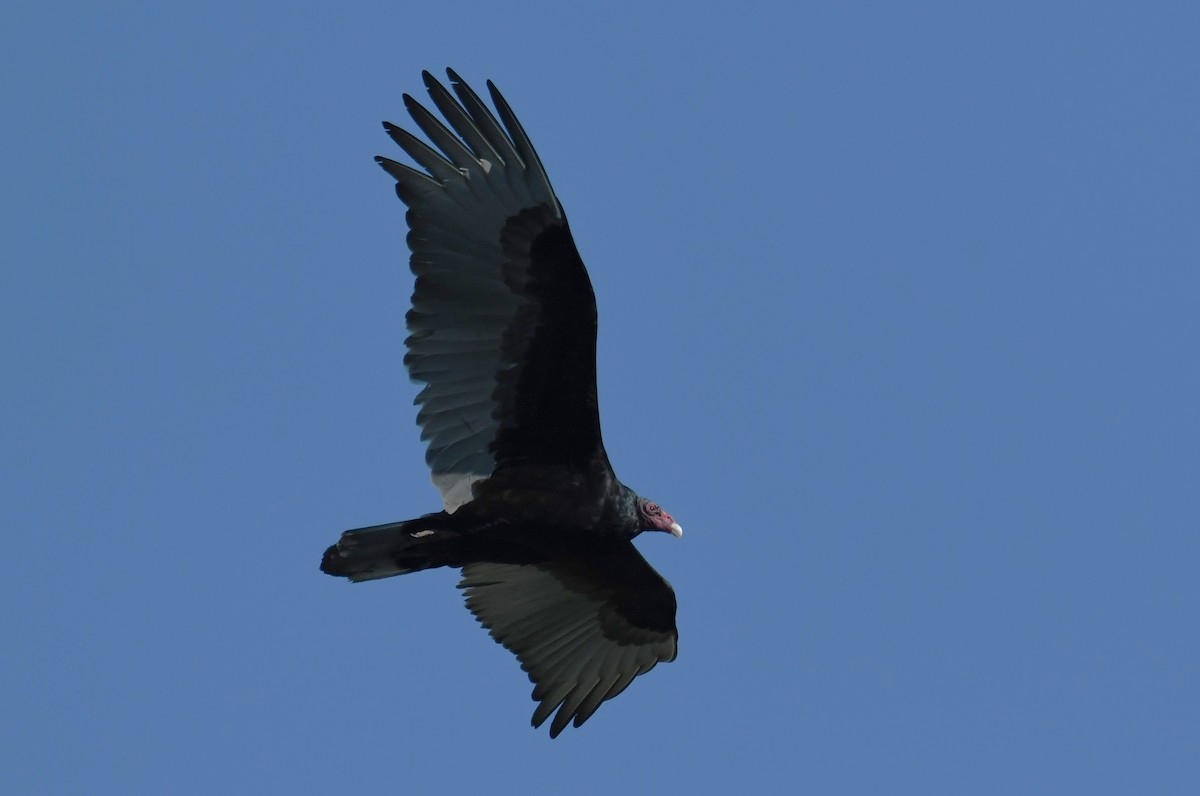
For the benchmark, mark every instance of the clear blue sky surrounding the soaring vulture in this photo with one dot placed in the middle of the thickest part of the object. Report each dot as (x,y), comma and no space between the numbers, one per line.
(899,318)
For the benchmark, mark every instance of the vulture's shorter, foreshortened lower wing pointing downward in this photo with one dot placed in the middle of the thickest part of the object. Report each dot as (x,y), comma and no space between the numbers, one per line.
(583,629)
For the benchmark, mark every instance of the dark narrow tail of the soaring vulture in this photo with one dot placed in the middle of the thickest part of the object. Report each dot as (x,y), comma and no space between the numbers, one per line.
(394,549)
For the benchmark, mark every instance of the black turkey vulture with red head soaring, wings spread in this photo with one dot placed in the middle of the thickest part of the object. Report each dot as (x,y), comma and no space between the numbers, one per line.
(503,338)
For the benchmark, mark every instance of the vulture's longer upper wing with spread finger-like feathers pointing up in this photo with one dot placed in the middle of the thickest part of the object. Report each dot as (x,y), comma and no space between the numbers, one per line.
(503,322)
